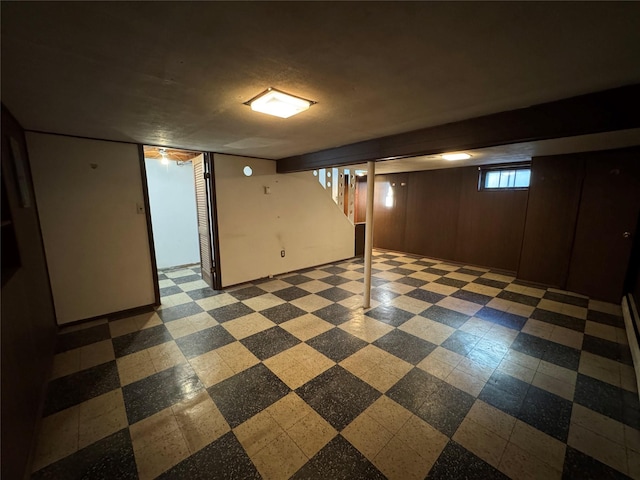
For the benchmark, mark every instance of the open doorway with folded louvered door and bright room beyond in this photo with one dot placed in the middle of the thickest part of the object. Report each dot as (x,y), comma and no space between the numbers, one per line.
(180,202)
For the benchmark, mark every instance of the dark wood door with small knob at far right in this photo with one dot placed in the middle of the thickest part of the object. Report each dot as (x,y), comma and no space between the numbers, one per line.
(607,223)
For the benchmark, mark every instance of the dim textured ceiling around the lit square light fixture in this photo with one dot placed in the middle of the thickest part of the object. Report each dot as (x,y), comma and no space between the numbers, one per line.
(177,73)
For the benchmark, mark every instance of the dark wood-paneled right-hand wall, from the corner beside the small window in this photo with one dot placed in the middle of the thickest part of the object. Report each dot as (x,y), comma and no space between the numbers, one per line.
(579,206)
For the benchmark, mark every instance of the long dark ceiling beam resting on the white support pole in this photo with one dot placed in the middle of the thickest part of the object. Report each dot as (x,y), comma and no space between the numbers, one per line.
(608,110)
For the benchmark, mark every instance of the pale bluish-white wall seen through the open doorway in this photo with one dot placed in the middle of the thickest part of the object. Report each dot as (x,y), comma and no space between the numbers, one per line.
(172,198)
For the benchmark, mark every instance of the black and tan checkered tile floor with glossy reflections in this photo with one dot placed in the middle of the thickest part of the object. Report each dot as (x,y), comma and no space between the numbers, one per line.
(455,372)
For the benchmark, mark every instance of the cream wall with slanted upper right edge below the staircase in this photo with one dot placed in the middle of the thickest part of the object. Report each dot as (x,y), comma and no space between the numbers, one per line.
(297,216)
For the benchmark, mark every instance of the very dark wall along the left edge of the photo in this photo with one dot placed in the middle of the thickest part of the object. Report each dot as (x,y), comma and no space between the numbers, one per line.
(28,323)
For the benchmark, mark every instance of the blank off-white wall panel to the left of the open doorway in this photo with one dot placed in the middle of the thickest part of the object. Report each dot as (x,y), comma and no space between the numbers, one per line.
(95,241)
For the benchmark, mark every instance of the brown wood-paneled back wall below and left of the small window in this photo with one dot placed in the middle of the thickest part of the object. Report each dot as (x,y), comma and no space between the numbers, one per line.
(441,214)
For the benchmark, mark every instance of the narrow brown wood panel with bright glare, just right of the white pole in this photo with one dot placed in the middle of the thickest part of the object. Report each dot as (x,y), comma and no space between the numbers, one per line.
(390,212)
